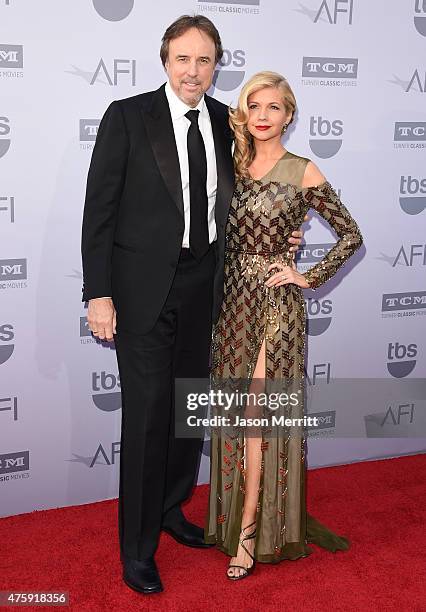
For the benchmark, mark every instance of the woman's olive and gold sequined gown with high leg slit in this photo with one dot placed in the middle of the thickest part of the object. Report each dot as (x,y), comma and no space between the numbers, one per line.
(263,213)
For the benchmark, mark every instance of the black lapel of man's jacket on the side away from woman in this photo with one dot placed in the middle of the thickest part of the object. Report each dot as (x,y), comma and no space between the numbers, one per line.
(159,126)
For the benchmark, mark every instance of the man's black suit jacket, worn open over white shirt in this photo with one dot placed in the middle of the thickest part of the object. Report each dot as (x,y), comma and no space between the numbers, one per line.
(133,220)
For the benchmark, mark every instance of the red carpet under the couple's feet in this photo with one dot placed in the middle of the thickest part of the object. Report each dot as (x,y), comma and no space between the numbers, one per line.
(379,505)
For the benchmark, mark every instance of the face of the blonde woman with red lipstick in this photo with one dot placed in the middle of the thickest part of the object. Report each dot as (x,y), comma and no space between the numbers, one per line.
(267,113)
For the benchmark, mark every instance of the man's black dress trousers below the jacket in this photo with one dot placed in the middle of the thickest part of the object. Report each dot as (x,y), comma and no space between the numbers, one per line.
(157,470)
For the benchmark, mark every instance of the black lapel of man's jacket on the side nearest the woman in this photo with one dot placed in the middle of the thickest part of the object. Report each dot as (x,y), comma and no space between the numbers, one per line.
(224,165)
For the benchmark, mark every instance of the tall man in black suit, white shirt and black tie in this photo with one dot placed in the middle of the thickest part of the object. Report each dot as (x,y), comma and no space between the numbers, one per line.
(158,192)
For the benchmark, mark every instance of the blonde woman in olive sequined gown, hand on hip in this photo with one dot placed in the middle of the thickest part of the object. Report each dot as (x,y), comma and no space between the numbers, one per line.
(258,483)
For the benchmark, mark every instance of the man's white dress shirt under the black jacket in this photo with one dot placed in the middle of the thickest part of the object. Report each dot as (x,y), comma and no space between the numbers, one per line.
(178,109)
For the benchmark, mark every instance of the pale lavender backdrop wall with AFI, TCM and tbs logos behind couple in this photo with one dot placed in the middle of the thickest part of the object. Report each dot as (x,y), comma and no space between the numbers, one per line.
(359,74)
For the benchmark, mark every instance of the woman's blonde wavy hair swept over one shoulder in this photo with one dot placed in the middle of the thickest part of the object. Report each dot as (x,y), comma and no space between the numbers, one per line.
(244,151)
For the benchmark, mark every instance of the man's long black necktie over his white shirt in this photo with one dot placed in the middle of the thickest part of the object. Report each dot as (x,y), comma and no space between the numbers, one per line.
(198,228)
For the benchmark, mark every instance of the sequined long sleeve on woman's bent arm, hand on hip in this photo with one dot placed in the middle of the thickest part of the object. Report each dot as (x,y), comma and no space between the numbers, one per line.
(327,203)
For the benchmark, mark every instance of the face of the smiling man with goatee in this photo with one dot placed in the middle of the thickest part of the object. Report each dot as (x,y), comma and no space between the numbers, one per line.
(190,65)
